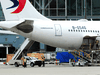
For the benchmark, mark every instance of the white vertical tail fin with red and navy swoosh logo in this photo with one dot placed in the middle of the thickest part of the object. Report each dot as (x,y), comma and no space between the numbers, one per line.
(18,9)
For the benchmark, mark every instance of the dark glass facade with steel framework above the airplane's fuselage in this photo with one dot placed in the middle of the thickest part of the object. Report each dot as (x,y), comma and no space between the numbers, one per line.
(68,9)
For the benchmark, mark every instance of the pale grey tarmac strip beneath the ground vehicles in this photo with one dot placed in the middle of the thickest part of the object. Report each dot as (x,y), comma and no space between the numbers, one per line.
(49,69)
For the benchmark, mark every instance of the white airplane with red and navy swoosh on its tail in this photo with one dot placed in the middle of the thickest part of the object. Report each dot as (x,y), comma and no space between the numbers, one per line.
(22,18)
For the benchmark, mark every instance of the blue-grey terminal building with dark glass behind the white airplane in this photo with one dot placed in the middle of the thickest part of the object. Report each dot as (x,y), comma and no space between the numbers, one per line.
(55,10)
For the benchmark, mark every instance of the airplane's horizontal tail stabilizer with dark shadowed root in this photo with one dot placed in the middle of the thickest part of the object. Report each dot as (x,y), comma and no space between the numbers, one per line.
(25,26)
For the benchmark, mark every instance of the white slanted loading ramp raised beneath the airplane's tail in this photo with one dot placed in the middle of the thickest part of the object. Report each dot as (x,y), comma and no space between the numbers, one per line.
(21,51)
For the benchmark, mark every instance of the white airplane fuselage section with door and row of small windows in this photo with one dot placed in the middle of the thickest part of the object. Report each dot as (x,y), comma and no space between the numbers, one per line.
(63,34)
